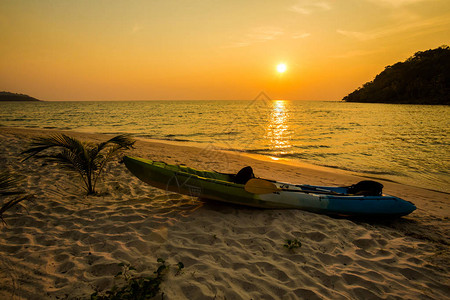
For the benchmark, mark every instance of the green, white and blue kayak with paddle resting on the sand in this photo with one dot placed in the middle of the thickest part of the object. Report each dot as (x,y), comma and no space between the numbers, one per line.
(263,193)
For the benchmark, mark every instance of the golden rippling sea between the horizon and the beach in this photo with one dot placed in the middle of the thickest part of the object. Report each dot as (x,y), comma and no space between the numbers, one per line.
(405,143)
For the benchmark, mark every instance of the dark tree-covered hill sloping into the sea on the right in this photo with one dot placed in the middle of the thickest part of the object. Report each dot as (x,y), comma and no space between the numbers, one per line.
(423,78)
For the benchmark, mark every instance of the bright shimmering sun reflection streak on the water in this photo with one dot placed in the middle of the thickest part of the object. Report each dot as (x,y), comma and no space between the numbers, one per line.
(277,132)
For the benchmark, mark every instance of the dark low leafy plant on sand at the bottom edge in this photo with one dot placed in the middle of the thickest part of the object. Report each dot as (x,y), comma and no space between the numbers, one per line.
(137,287)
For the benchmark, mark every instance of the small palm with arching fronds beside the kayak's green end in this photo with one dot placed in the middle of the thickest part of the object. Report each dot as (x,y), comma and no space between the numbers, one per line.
(87,159)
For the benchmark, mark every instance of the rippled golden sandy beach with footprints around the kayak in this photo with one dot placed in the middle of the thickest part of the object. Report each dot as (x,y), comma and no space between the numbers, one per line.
(66,245)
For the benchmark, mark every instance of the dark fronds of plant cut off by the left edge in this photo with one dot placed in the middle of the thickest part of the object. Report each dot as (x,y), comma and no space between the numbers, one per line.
(10,194)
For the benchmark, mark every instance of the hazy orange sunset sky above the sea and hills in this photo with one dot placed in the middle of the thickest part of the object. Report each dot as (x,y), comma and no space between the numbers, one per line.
(209,49)
